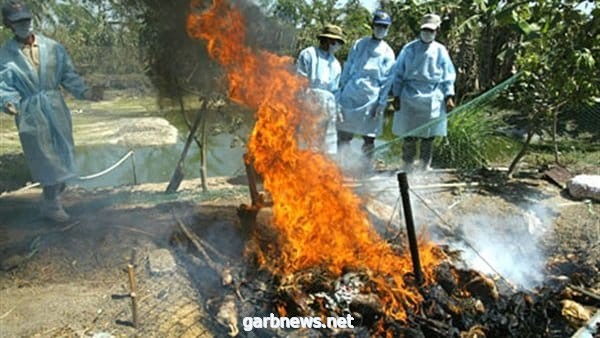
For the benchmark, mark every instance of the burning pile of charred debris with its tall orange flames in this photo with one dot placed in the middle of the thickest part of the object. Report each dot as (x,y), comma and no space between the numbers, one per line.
(327,258)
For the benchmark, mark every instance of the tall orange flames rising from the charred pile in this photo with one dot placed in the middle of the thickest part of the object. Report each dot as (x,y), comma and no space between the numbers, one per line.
(319,221)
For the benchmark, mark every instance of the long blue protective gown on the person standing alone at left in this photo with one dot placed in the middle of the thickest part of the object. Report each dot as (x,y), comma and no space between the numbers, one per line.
(44,121)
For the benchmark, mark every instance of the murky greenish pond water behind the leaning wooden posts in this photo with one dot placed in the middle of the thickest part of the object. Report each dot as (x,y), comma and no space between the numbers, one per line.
(156,163)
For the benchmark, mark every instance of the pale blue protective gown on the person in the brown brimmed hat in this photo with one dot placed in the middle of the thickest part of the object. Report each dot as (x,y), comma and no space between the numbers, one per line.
(323,72)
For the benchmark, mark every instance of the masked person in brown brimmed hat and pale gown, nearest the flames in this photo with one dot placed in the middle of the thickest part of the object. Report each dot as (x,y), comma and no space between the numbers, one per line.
(323,71)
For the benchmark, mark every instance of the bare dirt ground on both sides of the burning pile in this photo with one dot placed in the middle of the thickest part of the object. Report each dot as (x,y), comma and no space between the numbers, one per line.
(70,280)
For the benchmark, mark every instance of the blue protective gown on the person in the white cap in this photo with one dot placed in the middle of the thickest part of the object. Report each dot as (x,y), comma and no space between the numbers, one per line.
(423,77)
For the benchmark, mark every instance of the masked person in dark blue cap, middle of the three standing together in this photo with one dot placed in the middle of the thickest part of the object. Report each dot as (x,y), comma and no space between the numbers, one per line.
(365,85)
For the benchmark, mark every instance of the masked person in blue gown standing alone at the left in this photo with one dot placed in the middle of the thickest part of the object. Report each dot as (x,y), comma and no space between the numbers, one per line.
(32,69)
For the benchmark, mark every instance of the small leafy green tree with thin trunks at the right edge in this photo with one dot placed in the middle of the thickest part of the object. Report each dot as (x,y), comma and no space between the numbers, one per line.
(559,59)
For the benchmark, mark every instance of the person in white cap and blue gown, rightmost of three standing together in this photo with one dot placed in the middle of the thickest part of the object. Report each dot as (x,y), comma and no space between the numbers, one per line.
(423,89)
